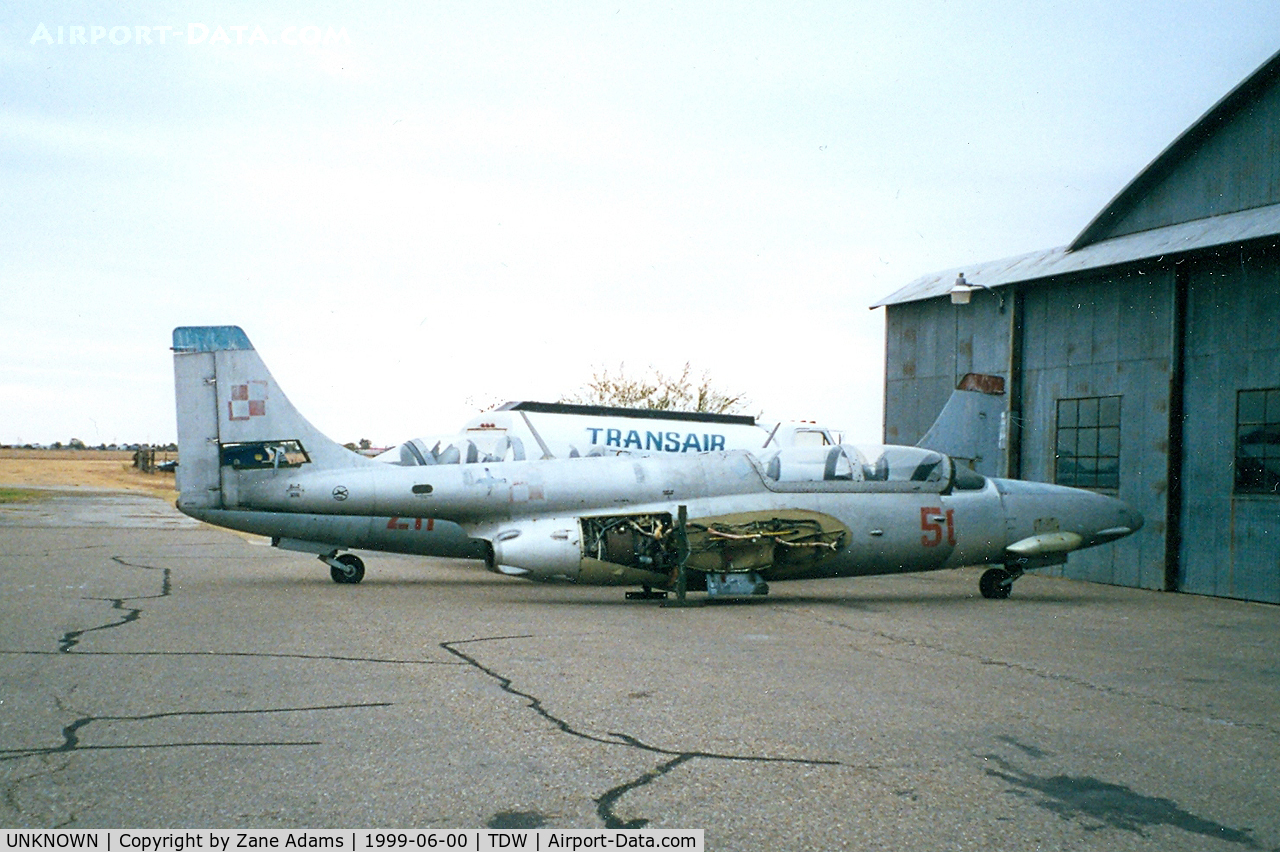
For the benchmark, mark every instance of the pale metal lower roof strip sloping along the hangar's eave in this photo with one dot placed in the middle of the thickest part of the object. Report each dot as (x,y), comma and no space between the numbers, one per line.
(1173,240)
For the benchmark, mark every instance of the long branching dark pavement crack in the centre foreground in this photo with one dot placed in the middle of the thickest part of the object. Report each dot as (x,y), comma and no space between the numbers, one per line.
(606,803)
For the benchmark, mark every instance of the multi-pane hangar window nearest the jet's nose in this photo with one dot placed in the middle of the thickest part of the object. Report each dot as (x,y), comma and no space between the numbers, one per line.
(1089,443)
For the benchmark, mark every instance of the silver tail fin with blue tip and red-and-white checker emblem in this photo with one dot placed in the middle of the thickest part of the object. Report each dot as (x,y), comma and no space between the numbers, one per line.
(234,416)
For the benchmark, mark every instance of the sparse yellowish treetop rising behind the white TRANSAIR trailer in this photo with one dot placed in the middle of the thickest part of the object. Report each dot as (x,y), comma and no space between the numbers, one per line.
(659,392)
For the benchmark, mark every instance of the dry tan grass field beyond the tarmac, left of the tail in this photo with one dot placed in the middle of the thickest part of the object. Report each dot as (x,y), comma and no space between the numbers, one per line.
(77,469)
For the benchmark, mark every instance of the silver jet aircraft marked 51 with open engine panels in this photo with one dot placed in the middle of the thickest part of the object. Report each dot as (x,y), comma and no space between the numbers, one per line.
(724,521)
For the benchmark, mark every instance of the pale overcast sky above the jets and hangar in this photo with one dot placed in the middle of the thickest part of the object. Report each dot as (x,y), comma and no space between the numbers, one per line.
(418,209)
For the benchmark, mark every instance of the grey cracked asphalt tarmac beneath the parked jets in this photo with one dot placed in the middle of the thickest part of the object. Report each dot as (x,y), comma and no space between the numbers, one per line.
(159,674)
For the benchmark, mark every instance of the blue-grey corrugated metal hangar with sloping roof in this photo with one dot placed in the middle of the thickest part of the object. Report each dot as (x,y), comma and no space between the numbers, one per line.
(1142,360)
